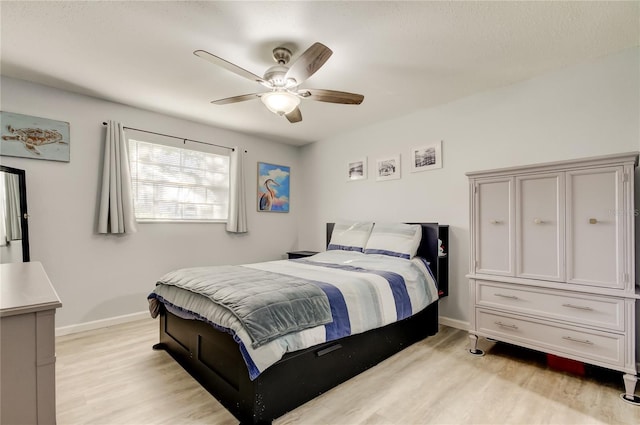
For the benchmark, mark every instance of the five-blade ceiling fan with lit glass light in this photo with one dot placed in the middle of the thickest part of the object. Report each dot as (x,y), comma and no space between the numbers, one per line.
(282,81)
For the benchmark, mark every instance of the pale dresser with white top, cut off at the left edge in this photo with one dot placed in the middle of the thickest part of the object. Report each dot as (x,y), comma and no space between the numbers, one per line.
(28,303)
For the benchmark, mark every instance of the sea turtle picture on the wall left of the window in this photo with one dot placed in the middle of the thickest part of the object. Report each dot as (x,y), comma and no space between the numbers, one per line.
(33,137)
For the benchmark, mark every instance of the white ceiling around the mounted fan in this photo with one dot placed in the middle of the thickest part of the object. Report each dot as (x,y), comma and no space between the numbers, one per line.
(402,56)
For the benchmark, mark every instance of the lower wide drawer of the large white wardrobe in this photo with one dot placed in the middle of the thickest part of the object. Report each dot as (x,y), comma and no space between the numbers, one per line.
(590,346)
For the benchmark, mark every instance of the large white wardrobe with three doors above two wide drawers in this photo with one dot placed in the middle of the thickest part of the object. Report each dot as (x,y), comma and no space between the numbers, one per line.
(552,260)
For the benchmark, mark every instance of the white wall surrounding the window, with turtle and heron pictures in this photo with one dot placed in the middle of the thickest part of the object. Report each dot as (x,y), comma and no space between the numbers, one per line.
(99,276)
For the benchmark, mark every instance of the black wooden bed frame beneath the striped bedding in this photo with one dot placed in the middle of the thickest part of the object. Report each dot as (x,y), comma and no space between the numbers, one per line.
(213,358)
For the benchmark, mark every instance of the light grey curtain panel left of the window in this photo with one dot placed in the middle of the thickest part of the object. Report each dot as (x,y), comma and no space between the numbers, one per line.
(116,213)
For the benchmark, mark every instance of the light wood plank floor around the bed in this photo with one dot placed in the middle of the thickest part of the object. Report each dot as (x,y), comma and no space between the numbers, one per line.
(112,376)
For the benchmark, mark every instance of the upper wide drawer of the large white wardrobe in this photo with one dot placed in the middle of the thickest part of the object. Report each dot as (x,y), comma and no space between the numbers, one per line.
(571,307)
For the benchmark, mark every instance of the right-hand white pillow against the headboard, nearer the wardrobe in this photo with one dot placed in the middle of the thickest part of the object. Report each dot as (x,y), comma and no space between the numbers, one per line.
(395,240)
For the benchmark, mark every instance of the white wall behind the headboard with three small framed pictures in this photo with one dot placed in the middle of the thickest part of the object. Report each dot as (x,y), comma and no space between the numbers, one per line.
(586,110)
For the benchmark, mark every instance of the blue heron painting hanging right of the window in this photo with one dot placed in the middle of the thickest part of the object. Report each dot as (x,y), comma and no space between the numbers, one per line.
(273,187)
